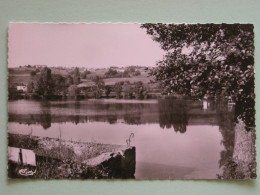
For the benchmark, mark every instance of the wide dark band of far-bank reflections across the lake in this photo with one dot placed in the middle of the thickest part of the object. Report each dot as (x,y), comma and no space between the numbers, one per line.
(168,113)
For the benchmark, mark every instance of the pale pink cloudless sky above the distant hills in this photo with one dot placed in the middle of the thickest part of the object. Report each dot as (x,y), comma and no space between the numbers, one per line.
(87,45)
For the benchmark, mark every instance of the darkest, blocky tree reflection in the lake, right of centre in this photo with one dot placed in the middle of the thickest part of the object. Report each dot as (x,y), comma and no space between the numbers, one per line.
(173,113)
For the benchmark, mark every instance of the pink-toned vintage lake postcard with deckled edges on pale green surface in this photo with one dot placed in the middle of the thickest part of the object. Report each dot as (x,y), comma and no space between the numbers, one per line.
(148,101)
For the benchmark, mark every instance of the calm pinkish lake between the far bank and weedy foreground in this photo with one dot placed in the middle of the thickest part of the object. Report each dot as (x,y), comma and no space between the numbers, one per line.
(174,139)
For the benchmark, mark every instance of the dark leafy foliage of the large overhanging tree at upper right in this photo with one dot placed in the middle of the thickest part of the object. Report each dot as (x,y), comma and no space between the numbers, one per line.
(205,60)
